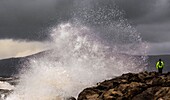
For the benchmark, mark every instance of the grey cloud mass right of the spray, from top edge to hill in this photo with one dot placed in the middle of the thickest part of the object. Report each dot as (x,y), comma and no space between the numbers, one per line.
(150,17)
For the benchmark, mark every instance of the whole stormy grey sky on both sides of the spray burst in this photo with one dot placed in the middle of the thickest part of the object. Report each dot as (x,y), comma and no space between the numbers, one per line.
(30,20)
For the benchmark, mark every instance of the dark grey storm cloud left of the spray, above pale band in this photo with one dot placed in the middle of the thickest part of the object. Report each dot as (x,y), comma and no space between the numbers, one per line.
(29,19)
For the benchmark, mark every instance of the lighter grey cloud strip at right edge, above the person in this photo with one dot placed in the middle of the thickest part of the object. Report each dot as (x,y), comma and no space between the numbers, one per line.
(155,33)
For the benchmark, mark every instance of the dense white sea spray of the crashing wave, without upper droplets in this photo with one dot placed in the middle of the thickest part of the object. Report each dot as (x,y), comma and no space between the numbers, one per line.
(75,62)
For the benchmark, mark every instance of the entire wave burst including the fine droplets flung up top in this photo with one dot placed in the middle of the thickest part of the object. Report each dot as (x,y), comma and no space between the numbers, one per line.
(89,48)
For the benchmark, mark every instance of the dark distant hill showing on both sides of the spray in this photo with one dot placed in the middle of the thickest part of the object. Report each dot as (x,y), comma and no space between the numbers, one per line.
(11,66)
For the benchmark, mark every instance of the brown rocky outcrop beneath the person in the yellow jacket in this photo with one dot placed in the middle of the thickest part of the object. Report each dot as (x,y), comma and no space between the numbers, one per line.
(131,86)
